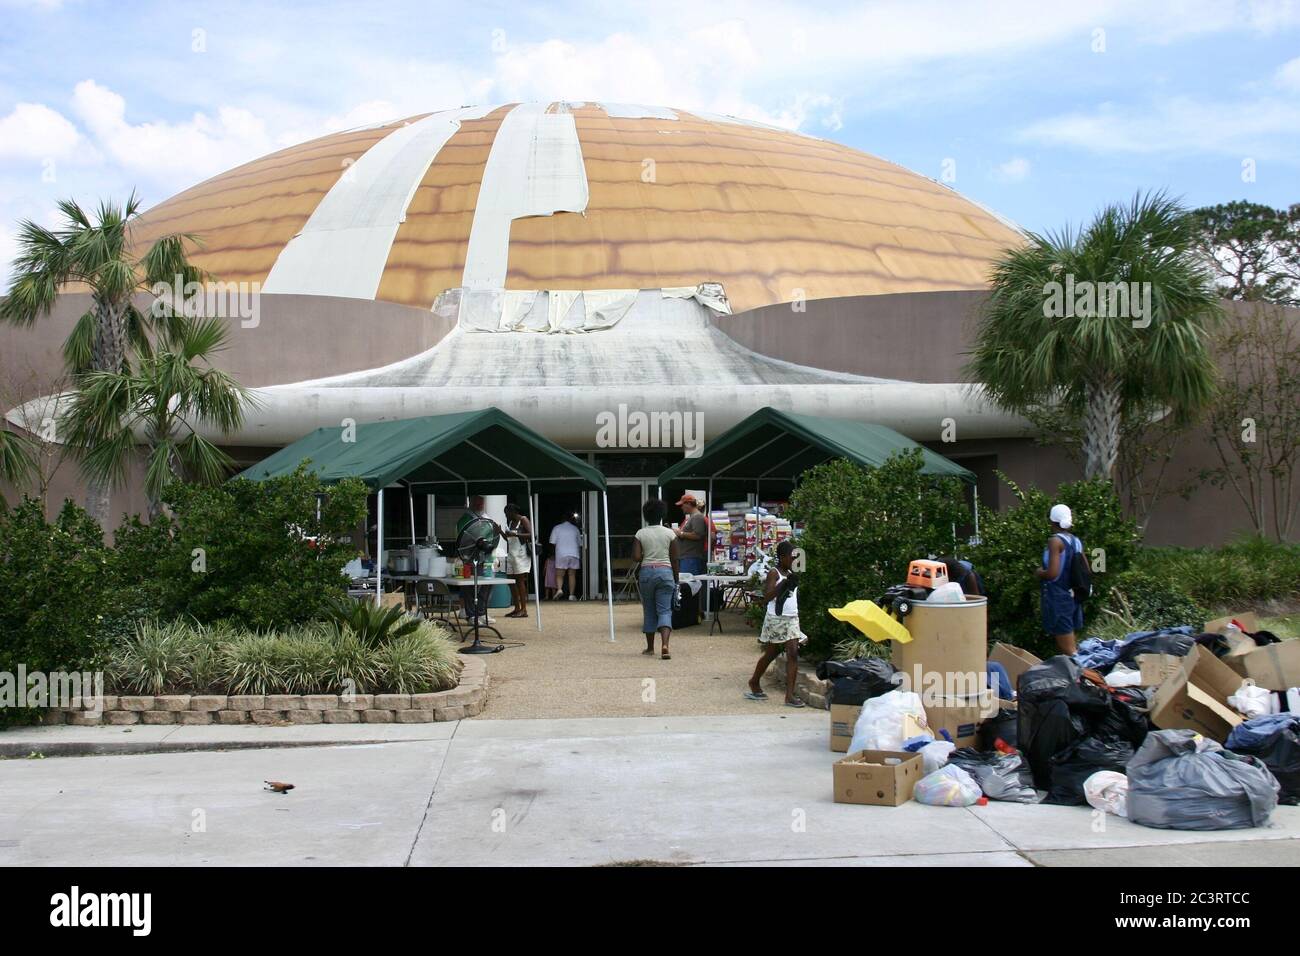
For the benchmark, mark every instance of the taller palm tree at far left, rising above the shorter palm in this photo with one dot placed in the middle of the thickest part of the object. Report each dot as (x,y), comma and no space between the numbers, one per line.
(99,256)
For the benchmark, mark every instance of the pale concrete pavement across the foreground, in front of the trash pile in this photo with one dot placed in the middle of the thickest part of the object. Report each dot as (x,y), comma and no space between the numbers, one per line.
(686,790)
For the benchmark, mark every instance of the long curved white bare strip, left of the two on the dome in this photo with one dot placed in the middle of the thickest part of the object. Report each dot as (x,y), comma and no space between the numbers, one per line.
(345,245)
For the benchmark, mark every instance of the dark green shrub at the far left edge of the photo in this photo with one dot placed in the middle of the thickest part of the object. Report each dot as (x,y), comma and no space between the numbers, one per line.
(54,589)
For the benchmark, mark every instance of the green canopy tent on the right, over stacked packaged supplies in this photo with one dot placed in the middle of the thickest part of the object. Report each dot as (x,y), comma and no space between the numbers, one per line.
(774,445)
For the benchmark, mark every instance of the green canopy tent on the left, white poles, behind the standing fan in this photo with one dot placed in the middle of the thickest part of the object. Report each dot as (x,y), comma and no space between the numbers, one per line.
(486,451)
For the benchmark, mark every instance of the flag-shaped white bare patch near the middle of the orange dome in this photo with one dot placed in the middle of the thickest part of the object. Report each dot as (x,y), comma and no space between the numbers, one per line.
(535,170)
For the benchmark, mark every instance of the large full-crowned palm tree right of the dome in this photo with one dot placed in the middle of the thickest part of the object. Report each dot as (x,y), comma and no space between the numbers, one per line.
(1108,326)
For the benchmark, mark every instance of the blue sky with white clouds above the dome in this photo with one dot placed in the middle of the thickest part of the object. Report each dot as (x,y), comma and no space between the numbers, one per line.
(1041,111)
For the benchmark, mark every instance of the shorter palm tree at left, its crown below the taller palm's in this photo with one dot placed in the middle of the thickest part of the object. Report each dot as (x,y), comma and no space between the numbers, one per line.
(171,393)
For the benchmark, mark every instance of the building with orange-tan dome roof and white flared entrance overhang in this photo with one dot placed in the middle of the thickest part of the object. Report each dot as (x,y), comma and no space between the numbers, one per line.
(566,262)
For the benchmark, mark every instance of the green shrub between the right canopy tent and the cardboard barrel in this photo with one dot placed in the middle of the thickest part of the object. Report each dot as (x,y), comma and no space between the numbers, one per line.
(861,529)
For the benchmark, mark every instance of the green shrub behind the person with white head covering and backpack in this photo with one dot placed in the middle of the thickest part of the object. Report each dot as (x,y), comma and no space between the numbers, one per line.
(1012,544)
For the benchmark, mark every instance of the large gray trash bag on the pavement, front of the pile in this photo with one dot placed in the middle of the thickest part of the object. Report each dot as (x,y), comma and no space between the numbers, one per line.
(1181,781)
